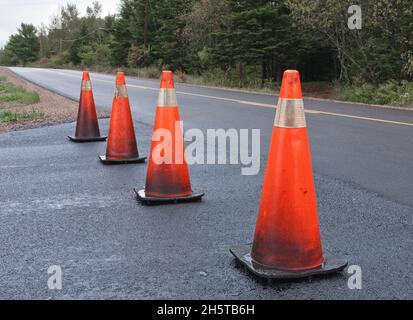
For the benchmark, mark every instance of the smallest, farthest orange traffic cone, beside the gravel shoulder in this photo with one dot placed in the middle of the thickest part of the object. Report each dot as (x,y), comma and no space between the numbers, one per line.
(87,129)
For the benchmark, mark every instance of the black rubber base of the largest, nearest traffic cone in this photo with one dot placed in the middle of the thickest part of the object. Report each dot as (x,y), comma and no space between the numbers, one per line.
(243,255)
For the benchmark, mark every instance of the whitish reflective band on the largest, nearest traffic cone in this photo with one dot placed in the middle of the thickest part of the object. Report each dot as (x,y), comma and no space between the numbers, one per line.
(290,114)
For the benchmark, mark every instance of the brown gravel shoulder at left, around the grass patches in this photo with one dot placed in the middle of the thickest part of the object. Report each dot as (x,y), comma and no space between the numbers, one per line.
(53,108)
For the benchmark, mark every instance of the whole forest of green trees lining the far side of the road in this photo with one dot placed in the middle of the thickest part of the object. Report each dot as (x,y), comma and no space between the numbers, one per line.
(238,39)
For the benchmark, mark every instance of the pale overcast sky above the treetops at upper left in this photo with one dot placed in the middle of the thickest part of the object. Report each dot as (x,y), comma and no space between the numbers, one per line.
(14,12)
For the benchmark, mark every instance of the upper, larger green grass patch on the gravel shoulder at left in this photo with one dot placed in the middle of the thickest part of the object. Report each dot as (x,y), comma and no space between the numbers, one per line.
(11,93)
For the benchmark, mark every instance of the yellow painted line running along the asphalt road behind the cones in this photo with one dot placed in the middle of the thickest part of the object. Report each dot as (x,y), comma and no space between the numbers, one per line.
(257,104)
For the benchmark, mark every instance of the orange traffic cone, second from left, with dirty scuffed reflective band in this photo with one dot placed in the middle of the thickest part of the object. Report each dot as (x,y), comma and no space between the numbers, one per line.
(122,147)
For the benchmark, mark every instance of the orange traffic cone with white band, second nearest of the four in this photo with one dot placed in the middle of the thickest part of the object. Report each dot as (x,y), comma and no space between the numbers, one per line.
(167,181)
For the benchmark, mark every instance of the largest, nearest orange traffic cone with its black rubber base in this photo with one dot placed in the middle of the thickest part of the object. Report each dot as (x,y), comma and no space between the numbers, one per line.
(287,238)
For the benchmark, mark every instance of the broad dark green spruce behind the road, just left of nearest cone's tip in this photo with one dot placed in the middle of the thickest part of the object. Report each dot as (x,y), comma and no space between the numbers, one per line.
(259,33)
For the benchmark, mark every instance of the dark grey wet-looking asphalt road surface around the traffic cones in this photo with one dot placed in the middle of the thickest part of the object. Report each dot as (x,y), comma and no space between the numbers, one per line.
(60,206)
